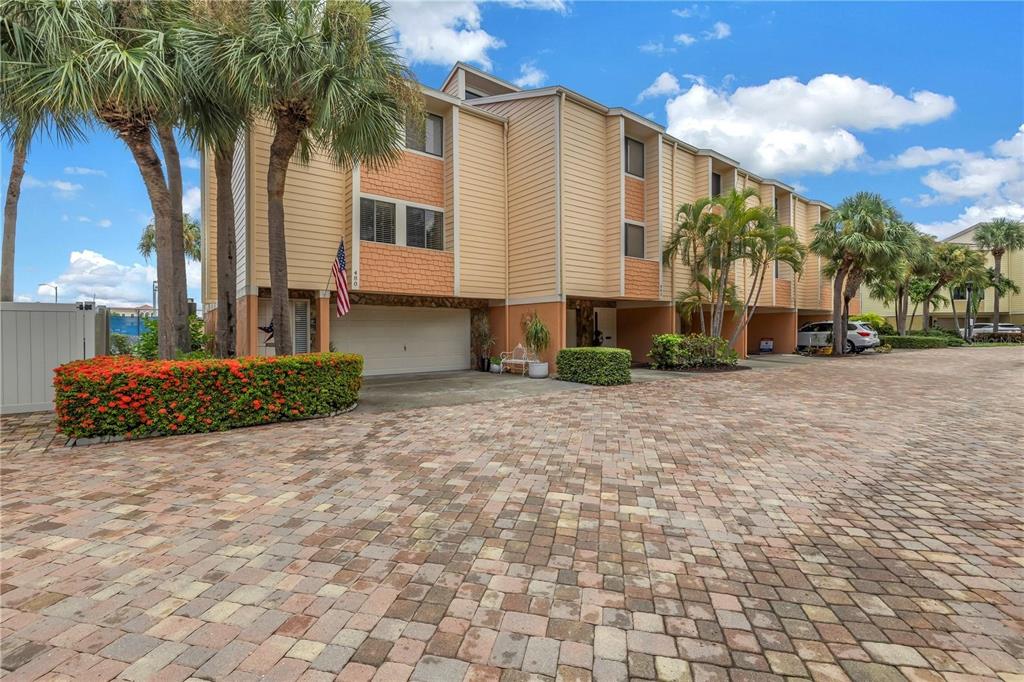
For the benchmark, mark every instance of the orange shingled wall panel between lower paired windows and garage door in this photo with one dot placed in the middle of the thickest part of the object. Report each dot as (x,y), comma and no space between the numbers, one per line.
(400,270)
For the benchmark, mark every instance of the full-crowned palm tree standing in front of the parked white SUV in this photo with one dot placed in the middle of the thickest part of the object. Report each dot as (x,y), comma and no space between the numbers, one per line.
(863,231)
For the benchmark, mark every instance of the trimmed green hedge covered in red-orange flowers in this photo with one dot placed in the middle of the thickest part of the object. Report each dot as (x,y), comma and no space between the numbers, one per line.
(132,398)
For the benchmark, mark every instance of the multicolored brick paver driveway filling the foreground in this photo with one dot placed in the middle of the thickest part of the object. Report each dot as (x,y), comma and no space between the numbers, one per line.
(852,518)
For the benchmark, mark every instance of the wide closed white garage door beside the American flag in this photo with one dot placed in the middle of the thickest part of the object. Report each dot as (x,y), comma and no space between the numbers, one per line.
(399,340)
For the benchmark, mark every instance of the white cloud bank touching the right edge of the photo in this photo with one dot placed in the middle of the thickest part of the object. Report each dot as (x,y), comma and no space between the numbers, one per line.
(992,184)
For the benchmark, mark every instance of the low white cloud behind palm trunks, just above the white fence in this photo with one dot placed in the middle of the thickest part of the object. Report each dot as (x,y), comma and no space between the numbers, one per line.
(91,275)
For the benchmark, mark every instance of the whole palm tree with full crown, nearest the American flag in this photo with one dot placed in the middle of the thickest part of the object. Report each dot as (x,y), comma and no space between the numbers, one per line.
(330,79)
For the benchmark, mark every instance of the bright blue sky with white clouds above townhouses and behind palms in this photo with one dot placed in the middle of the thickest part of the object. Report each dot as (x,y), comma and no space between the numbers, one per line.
(919,102)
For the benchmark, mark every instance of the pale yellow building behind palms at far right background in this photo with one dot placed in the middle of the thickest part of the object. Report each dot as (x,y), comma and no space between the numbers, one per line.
(1011,306)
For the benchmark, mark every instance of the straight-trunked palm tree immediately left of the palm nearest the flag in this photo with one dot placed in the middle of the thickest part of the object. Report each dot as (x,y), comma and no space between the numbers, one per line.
(218,116)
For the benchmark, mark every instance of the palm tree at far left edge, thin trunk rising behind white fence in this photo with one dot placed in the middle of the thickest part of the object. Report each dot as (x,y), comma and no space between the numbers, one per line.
(23,39)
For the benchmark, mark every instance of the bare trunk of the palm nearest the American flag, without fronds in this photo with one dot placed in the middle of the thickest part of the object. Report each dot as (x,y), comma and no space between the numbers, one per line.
(286,140)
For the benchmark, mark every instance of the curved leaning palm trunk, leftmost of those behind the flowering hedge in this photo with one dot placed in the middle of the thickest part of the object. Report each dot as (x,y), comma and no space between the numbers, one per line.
(138,138)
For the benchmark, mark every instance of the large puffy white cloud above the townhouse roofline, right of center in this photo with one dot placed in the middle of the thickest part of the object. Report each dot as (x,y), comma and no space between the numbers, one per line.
(789,126)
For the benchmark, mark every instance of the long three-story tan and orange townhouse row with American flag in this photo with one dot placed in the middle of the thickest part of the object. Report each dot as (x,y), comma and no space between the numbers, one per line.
(511,203)
